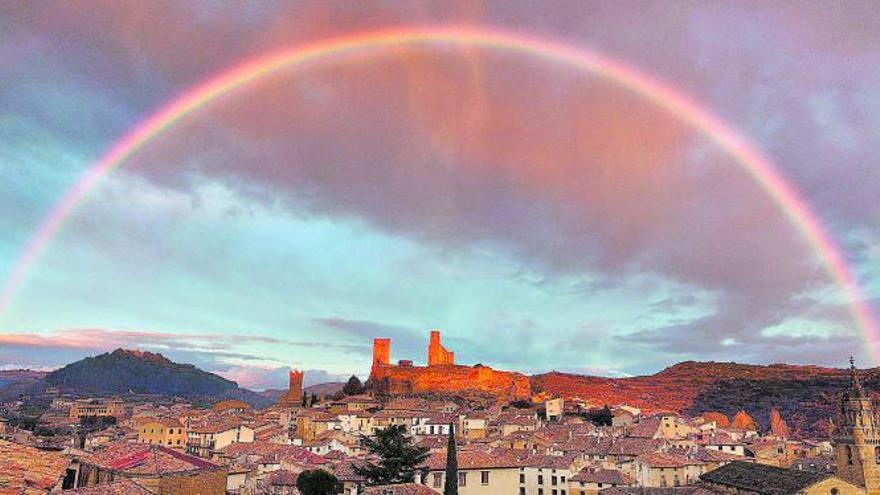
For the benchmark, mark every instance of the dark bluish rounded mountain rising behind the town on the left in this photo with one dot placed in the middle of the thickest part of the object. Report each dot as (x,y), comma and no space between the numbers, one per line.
(130,371)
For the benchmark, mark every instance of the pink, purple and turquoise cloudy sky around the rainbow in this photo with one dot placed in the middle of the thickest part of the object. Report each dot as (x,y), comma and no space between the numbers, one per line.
(542,217)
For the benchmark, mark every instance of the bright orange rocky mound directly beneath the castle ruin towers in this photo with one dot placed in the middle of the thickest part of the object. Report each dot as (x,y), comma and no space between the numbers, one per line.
(449,380)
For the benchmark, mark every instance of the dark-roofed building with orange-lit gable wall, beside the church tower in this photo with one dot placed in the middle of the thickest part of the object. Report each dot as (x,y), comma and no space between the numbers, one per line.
(745,478)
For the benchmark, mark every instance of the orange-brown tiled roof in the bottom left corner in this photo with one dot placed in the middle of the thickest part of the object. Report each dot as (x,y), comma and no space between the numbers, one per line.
(25,470)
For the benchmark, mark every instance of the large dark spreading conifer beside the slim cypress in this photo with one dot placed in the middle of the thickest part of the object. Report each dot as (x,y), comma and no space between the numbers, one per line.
(398,457)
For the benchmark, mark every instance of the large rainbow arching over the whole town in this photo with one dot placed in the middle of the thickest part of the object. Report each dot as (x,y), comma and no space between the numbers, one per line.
(757,166)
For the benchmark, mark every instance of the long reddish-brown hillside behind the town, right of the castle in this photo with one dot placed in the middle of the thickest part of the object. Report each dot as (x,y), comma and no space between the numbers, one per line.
(806,396)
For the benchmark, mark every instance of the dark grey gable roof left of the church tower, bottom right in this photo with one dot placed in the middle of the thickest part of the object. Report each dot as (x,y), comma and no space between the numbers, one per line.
(763,479)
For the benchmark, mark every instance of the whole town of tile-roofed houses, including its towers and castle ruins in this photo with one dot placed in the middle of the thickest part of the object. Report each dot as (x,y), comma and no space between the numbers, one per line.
(541,446)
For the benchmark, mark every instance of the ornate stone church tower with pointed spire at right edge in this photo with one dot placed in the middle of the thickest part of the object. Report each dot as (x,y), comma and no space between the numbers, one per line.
(857,438)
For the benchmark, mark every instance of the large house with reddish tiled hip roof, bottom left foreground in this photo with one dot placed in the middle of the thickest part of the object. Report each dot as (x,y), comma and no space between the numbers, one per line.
(162,470)
